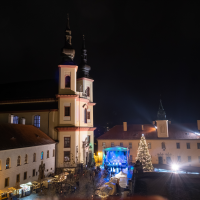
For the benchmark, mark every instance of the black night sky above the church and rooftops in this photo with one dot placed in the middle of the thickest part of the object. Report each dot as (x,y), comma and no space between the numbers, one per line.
(137,50)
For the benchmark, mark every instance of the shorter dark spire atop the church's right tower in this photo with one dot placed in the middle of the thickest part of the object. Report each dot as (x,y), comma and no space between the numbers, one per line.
(83,67)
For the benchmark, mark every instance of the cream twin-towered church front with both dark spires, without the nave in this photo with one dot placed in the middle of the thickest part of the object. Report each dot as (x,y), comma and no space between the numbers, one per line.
(75,103)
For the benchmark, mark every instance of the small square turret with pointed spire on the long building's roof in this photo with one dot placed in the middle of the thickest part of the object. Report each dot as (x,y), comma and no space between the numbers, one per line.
(162,122)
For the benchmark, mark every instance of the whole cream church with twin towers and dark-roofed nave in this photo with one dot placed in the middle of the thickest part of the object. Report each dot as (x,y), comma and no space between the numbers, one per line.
(62,109)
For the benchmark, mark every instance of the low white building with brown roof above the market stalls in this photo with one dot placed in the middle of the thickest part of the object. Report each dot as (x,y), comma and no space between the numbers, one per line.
(26,154)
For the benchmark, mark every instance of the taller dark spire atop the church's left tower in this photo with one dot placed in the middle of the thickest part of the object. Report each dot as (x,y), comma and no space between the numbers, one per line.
(68,52)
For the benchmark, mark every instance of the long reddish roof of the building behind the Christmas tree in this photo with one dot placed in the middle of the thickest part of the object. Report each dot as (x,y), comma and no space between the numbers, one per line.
(134,132)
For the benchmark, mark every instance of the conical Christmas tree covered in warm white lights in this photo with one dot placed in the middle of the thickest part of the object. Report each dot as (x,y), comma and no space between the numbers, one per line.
(143,155)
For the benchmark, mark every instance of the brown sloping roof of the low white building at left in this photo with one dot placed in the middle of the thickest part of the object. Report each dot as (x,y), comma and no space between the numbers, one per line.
(14,136)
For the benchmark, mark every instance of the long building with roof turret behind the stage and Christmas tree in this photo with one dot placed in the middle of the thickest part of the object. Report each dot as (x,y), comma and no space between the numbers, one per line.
(167,142)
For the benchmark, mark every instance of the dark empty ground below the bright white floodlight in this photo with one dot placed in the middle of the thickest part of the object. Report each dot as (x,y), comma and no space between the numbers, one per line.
(172,186)
